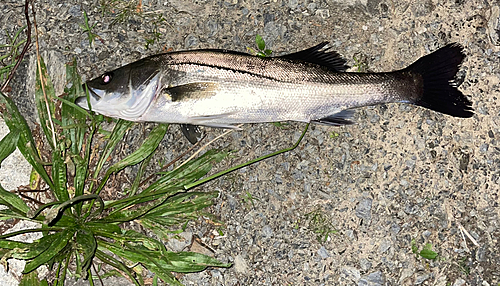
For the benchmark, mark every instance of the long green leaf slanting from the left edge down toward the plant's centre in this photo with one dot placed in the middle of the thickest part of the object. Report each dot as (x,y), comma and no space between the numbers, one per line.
(26,144)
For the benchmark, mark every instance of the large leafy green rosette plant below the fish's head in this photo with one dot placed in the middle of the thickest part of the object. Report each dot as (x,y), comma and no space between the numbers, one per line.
(79,224)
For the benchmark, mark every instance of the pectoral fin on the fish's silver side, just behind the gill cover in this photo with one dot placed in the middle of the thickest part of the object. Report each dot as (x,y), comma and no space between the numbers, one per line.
(195,90)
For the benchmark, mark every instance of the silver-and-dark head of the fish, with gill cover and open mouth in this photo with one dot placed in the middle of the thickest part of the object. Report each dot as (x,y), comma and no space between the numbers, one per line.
(124,93)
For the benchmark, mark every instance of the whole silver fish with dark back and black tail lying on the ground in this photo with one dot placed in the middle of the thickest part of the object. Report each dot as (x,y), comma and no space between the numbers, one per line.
(221,88)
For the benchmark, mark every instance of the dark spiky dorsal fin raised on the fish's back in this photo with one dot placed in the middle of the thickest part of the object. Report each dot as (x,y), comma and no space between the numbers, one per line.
(321,56)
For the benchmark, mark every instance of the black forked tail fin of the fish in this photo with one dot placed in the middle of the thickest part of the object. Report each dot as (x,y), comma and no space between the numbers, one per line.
(438,72)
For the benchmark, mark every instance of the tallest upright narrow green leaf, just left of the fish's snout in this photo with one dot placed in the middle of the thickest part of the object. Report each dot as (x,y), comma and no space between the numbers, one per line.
(44,94)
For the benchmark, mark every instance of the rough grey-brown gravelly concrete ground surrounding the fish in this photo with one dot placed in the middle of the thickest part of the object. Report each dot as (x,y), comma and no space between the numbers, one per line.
(401,173)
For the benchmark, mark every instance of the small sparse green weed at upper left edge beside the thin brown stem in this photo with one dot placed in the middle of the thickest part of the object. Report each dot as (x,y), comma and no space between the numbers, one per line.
(9,53)
